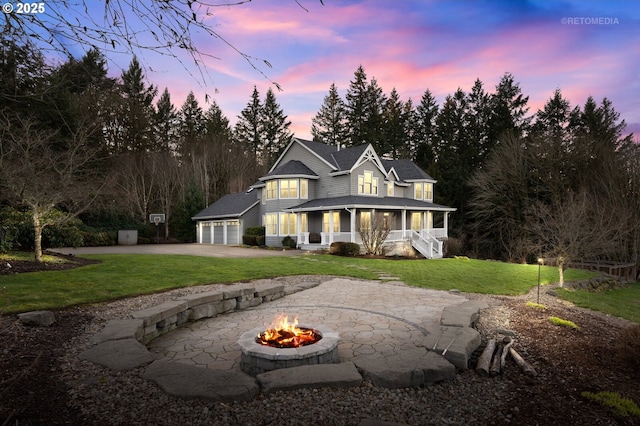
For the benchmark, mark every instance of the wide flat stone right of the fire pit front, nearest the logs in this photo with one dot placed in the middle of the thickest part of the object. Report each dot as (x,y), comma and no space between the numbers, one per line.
(409,368)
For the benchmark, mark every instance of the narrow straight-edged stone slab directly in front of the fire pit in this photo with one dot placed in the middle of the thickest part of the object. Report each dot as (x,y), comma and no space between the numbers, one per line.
(341,375)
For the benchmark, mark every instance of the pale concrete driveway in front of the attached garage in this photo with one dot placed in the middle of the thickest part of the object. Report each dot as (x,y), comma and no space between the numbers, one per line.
(210,250)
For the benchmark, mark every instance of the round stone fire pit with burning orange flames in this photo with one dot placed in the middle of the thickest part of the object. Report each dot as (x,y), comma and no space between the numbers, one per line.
(285,345)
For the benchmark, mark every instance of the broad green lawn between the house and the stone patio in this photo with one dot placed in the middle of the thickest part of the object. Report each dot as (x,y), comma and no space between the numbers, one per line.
(120,276)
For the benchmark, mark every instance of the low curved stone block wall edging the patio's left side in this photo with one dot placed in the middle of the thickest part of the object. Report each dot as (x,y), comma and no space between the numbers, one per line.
(163,318)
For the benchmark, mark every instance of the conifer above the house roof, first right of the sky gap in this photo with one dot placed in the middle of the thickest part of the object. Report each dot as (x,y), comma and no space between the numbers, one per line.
(329,124)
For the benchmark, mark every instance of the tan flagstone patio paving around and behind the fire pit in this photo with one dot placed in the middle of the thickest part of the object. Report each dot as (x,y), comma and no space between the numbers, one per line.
(372,319)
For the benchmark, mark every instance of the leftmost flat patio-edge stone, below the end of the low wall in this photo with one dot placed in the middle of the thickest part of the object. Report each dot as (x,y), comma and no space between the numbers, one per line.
(125,354)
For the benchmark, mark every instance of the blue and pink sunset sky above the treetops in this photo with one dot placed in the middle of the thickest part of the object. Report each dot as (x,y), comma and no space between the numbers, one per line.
(580,47)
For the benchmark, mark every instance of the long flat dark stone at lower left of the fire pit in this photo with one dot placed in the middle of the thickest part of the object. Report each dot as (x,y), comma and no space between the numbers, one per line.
(189,382)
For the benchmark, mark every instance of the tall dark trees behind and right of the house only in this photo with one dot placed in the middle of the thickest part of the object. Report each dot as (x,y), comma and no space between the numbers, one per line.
(562,182)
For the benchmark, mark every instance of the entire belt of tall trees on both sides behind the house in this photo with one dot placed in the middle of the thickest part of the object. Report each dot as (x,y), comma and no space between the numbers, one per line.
(128,151)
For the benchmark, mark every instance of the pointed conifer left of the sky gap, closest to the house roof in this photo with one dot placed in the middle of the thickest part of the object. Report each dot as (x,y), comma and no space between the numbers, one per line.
(275,127)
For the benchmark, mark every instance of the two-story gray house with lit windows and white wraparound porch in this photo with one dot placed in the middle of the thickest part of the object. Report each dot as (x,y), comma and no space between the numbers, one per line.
(325,190)
